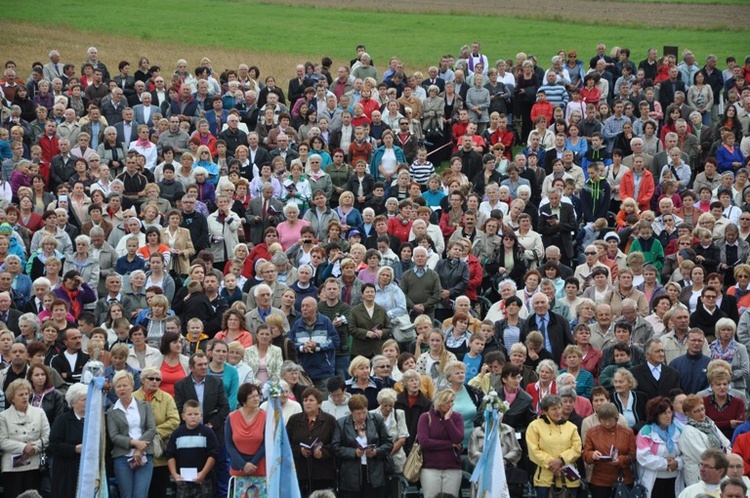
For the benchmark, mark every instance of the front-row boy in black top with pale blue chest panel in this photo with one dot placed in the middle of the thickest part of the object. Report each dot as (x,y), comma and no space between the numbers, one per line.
(191,454)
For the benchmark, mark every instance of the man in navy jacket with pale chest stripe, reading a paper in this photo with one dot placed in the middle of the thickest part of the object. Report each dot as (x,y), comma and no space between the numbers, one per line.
(316,341)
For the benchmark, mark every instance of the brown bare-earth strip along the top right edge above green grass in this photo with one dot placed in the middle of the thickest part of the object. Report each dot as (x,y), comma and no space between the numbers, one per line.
(648,14)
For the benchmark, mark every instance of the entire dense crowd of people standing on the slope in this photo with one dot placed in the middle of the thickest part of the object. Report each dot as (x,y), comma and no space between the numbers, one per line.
(580,262)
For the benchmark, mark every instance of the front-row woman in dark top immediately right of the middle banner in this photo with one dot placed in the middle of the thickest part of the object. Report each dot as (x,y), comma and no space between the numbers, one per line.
(310,436)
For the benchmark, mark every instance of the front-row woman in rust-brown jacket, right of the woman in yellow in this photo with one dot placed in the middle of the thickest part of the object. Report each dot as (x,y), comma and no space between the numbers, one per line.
(610,448)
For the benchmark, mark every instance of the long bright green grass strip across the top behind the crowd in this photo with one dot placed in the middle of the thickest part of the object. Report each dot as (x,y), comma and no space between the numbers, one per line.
(418,39)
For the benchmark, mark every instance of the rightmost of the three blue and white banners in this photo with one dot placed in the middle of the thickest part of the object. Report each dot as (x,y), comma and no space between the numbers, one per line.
(489,474)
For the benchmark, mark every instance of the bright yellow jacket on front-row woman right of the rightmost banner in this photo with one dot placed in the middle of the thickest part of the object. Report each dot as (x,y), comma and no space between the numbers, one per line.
(547,441)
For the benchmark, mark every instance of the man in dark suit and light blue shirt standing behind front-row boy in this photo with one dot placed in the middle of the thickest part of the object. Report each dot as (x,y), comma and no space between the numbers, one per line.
(213,400)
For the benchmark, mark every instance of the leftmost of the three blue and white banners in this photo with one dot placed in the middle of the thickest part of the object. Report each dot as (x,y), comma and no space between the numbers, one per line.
(92,476)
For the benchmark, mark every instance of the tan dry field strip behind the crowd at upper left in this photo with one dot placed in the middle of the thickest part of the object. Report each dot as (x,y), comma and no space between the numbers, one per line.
(15,39)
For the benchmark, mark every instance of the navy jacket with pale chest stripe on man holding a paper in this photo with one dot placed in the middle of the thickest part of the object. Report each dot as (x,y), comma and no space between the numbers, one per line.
(319,364)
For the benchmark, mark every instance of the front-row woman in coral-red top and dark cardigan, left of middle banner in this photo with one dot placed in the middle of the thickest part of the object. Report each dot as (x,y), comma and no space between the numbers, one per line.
(244,436)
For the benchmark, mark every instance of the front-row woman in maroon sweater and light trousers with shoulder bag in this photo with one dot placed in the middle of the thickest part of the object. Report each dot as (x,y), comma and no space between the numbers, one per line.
(440,434)
